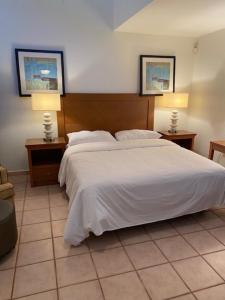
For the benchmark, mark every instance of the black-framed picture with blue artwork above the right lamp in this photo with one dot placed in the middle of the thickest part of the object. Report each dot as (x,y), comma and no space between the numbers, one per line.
(157,74)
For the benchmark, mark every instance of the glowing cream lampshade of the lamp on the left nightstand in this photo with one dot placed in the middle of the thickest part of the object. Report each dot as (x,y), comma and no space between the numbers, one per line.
(46,102)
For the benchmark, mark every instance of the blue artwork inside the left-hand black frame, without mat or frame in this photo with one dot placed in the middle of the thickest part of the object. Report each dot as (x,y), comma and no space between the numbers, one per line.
(40,73)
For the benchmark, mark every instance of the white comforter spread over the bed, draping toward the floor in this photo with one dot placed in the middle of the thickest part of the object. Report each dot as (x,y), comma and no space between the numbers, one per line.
(120,184)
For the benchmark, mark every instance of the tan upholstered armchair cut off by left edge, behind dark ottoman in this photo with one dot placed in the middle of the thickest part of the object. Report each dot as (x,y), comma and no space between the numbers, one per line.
(6,188)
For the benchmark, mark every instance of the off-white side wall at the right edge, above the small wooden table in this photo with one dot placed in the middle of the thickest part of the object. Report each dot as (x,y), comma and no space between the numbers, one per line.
(207,104)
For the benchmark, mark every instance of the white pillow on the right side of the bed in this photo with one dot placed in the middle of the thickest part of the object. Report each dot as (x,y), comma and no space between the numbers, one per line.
(136,134)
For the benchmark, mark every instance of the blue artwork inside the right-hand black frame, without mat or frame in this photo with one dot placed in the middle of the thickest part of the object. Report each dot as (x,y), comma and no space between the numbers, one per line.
(157,76)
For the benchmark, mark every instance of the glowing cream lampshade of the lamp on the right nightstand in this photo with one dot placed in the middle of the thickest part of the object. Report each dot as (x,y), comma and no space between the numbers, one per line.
(176,100)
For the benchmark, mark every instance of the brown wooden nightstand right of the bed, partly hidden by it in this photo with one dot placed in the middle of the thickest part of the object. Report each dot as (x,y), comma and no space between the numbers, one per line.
(181,137)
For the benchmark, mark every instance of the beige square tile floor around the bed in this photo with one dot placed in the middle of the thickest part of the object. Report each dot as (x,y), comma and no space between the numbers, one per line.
(181,259)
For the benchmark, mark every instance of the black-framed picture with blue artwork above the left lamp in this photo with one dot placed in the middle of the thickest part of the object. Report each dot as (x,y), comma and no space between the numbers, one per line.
(39,71)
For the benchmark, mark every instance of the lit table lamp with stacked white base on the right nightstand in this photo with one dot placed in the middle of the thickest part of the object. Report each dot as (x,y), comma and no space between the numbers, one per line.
(175,100)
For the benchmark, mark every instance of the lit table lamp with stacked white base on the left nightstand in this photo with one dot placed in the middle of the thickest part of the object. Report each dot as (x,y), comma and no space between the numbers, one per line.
(46,102)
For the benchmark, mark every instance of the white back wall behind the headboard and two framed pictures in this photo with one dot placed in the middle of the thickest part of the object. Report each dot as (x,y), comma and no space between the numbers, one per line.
(96,60)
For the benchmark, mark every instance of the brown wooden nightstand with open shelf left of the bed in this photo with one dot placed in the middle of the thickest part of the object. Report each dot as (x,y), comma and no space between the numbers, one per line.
(44,160)
